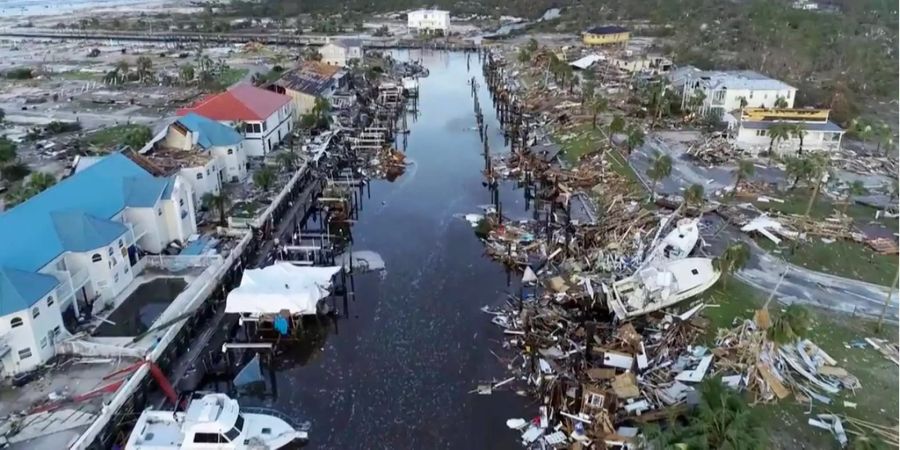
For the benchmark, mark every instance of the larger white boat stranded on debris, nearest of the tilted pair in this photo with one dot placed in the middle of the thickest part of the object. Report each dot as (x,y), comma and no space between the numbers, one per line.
(656,287)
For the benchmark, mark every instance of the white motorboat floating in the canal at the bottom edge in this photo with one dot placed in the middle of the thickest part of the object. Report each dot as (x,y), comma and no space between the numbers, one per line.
(213,421)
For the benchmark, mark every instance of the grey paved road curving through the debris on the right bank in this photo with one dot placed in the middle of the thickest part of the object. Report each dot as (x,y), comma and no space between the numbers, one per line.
(763,271)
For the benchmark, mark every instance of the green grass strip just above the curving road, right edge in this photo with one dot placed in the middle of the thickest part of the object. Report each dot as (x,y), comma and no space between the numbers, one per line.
(843,258)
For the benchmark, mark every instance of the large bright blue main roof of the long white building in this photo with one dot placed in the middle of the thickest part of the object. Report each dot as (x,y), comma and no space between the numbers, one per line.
(29,236)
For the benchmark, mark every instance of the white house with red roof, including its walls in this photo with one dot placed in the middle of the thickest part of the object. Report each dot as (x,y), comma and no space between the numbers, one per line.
(267,117)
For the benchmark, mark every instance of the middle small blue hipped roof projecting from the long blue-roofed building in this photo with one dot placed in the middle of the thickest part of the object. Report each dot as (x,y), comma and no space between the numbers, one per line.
(80,232)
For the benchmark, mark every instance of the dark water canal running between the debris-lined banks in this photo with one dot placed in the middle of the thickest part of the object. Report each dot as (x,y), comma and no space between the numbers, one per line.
(398,370)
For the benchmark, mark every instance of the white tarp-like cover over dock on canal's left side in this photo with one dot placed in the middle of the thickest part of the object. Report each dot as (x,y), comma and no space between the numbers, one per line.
(281,286)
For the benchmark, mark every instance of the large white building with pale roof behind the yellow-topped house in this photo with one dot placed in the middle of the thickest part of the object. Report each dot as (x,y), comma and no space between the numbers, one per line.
(727,91)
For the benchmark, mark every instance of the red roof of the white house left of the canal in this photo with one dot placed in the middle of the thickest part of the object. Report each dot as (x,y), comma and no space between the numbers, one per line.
(243,102)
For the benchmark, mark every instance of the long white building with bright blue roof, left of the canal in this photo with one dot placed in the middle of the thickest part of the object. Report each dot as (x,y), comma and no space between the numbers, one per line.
(80,241)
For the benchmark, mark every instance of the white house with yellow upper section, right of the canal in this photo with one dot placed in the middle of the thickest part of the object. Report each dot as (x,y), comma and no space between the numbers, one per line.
(751,131)
